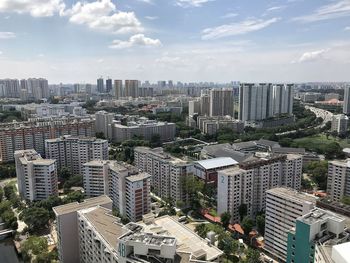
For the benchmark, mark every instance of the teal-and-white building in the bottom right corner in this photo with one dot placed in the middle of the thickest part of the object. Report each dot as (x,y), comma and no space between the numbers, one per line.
(314,236)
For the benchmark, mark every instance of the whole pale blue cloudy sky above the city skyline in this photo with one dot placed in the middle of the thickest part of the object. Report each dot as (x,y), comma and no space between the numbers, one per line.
(73,41)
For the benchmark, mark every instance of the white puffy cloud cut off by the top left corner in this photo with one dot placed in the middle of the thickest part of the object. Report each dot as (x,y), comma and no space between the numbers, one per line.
(36,8)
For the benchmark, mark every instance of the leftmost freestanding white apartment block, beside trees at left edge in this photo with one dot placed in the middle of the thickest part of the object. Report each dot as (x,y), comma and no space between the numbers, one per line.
(36,177)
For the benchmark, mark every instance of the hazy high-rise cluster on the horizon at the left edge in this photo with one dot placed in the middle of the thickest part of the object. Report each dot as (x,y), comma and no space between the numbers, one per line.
(25,89)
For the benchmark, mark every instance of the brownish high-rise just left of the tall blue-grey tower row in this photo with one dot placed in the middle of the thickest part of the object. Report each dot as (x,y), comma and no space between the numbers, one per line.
(221,102)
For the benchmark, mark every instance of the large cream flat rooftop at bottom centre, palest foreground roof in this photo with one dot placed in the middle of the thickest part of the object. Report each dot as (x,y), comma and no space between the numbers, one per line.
(187,240)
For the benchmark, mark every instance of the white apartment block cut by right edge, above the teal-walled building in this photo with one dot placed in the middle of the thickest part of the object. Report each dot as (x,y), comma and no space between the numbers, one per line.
(338,180)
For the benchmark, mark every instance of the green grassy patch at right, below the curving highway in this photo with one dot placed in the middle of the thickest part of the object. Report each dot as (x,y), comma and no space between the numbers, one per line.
(320,141)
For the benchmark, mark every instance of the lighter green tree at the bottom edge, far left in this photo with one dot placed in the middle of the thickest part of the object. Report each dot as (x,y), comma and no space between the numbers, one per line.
(33,247)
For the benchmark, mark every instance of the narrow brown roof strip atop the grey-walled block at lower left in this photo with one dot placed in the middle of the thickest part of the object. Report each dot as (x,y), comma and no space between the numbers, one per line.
(74,207)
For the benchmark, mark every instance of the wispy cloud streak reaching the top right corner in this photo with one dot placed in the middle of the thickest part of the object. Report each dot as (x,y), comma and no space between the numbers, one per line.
(330,11)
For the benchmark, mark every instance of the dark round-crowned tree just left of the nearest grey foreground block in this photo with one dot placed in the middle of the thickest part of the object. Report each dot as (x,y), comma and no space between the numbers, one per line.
(36,218)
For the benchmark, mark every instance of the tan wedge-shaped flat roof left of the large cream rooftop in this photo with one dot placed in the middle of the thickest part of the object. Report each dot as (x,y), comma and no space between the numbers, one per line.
(105,224)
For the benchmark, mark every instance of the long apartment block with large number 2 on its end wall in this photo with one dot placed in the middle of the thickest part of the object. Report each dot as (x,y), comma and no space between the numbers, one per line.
(248,182)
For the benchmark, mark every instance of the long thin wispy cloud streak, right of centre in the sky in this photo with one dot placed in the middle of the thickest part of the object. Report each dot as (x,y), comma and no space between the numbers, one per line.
(240,28)
